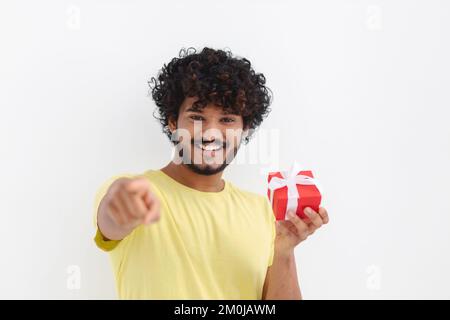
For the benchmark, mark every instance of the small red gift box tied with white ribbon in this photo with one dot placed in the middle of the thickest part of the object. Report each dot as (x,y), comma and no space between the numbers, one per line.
(295,189)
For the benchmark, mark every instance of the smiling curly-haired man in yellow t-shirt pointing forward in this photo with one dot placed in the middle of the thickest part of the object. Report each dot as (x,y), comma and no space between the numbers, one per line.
(182,232)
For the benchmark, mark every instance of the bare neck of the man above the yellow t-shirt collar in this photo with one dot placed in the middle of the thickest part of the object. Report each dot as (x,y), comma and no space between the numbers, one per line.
(189,178)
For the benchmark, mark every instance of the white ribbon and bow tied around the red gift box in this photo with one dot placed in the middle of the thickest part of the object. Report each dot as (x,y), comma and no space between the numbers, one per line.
(290,179)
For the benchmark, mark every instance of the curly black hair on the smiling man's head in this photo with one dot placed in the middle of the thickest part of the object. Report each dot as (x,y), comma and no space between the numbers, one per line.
(214,76)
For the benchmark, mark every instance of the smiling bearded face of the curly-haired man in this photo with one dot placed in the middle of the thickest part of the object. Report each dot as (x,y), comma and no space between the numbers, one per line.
(208,138)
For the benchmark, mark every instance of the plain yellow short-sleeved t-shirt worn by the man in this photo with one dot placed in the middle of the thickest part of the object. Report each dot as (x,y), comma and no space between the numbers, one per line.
(206,245)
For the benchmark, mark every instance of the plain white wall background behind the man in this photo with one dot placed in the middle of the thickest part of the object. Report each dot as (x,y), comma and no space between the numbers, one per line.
(361,96)
